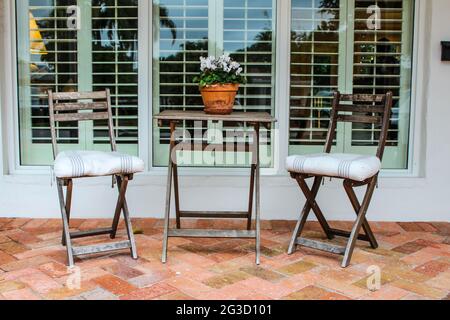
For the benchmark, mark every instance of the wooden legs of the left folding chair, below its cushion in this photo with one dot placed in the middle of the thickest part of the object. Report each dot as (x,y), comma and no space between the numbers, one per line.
(121,207)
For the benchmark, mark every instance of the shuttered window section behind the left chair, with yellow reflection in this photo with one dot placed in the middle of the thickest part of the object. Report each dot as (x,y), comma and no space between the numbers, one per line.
(100,52)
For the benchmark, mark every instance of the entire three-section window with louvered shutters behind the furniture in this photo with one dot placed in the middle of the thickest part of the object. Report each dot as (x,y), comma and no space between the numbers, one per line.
(334,45)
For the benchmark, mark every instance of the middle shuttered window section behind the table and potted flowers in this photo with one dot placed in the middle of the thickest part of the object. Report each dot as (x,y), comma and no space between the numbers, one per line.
(189,29)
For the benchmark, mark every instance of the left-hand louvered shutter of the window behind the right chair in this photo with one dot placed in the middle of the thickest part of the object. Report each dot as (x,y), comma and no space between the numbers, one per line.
(315,53)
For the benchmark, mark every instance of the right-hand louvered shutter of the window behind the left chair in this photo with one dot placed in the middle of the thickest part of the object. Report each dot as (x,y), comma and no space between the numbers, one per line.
(115,66)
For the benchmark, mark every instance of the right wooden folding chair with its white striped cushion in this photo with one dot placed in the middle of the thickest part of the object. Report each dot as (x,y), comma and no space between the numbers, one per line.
(355,170)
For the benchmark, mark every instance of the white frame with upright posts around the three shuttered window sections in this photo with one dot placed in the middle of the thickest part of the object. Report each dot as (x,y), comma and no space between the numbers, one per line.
(281,136)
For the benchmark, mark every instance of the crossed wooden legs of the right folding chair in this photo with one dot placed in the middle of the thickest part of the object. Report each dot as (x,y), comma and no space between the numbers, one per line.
(360,210)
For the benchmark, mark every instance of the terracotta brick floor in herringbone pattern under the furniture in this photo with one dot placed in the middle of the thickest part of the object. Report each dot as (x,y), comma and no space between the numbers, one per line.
(414,259)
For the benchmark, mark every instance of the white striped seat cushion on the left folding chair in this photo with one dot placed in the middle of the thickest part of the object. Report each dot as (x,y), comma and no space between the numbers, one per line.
(74,164)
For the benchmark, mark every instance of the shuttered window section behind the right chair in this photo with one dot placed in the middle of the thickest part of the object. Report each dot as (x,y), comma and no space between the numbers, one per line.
(335,45)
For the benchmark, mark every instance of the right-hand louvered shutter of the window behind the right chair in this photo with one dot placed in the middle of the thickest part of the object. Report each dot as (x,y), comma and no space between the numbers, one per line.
(381,63)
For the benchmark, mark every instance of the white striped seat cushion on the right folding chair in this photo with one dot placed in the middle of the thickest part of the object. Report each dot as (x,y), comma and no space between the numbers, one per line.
(347,166)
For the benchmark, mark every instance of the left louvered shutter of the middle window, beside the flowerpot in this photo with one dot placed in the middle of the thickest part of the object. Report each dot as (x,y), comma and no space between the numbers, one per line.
(181,39)
